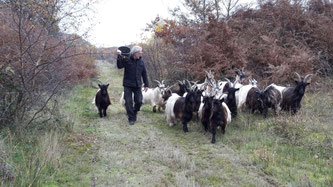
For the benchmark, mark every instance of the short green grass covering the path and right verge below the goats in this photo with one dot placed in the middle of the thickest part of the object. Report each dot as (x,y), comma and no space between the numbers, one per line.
(280,150)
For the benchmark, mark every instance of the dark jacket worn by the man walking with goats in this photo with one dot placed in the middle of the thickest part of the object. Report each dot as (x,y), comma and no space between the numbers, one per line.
(134,70)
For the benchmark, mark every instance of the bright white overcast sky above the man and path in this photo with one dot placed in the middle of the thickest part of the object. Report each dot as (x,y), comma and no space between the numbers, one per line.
(121,22)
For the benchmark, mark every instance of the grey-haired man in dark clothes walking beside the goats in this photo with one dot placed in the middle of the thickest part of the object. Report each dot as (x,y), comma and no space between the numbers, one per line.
(134,70)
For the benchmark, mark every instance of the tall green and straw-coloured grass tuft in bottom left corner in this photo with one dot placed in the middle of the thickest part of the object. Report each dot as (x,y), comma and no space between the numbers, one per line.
(31,162)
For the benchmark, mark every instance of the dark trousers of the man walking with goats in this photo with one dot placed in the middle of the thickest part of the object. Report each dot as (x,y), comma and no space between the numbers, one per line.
(131,111)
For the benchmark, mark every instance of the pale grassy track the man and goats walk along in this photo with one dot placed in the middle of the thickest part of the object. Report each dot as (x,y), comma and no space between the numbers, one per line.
(151,153)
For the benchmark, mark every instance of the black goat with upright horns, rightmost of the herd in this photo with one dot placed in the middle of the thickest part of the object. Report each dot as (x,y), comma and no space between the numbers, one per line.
(291,97)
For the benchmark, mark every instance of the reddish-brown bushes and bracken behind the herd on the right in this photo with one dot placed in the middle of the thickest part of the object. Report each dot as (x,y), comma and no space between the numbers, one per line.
(271,42)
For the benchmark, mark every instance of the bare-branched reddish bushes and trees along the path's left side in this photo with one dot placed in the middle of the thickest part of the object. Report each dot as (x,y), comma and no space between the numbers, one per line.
(37,60)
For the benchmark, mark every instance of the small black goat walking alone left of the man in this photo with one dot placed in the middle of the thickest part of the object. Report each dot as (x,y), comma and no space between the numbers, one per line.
(102,99)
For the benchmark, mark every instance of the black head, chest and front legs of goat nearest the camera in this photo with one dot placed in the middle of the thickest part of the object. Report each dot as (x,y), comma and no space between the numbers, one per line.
(217,118)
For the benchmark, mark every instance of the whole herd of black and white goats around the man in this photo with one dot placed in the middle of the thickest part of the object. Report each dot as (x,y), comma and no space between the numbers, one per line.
(214,102)
